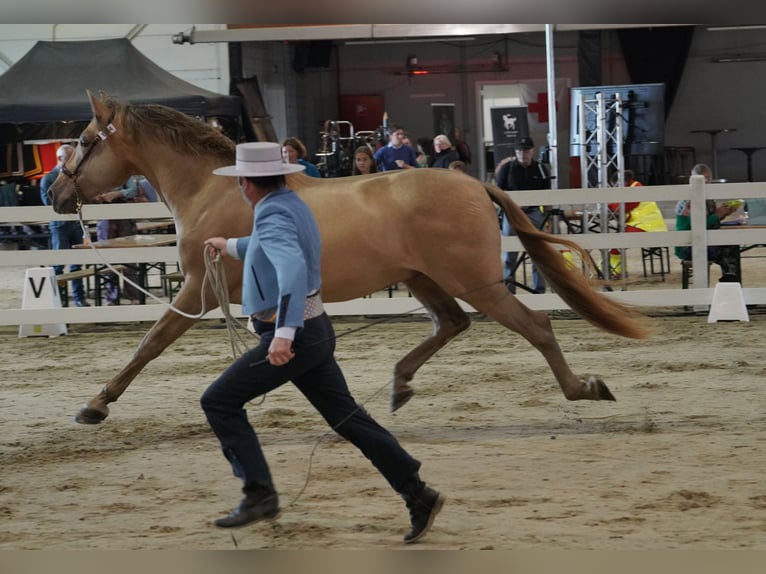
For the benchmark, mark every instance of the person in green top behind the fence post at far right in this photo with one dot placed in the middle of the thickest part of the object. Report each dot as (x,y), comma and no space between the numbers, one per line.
(726,256)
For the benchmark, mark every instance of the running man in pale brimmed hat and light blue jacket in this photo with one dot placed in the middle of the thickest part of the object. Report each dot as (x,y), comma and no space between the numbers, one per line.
(281,292)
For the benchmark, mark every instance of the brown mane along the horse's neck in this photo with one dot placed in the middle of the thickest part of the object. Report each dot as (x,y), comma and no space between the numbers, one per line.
(177,130)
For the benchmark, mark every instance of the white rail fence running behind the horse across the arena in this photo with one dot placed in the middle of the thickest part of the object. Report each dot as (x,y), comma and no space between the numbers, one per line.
(699,238)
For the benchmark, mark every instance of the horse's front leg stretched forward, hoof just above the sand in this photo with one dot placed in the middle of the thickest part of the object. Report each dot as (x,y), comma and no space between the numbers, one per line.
(166,330)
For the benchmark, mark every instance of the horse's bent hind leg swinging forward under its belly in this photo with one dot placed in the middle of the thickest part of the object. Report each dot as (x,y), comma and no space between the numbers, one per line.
(449,320)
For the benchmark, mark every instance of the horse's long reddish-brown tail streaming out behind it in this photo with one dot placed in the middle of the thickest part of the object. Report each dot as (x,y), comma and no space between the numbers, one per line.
(571,285)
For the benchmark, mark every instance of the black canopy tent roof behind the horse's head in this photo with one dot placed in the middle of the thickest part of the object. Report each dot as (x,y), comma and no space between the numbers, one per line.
(42,96)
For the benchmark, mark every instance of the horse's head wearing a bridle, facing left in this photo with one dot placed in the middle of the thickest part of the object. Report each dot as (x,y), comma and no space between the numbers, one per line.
(96,166)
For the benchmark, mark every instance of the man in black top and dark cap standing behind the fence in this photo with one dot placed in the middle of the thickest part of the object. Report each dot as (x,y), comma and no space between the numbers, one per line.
(520,173)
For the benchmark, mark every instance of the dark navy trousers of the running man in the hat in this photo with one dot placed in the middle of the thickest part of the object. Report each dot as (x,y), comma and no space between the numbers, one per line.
(316,374)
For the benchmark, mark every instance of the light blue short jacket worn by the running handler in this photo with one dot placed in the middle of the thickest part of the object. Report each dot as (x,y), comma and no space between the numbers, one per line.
(281,258)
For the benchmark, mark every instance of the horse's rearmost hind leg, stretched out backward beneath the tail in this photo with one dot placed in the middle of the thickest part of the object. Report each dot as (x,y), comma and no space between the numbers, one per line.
(496,302)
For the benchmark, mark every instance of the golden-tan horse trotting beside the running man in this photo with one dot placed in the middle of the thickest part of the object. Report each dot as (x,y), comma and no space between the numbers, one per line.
(434,230)
